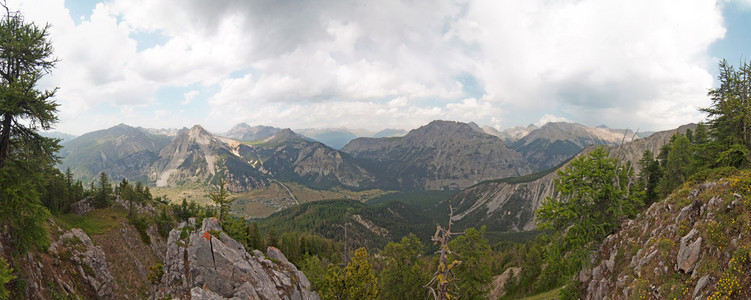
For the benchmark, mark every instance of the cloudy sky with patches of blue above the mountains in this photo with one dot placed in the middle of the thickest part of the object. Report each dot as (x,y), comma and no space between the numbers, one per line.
(643,64)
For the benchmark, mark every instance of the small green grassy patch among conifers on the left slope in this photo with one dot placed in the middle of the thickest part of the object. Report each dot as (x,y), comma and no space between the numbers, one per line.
(95,222)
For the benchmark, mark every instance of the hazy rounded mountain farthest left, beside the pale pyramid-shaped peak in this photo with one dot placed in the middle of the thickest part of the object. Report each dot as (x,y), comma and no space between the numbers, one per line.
(121,151)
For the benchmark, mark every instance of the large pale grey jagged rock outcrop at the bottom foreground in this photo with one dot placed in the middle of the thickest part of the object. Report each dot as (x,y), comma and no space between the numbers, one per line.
(204,263)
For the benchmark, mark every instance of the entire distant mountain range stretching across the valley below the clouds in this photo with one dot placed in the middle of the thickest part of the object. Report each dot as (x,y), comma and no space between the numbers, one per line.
(441,155)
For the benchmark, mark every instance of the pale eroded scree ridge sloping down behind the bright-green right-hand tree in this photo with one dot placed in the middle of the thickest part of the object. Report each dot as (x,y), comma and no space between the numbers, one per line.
(508,204)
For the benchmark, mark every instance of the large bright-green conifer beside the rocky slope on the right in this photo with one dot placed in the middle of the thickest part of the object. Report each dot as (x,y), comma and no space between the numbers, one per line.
(589,204)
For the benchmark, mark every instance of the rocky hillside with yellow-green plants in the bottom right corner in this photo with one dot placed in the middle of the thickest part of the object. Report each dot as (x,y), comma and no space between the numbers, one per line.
(693,244)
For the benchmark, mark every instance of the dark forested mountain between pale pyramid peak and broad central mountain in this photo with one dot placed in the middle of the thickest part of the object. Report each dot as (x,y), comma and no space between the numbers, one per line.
(289,156)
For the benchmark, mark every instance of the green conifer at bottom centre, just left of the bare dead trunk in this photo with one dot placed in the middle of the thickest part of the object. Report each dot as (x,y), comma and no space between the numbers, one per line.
(403,276)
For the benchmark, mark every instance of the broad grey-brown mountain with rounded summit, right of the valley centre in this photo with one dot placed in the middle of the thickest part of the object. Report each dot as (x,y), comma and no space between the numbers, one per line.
(443,155)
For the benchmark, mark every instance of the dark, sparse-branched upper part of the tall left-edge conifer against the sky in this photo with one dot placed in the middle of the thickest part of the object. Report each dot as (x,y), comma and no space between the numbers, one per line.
(25,57)
